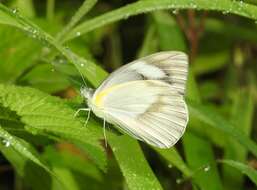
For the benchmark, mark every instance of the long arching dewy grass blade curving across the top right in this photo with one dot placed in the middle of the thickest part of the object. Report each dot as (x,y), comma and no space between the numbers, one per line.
(139,7)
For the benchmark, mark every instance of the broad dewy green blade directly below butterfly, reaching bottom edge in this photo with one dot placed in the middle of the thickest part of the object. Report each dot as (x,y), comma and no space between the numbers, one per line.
(134,166)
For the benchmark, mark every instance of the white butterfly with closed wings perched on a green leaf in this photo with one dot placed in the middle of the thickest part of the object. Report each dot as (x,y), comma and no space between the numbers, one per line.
(145,98)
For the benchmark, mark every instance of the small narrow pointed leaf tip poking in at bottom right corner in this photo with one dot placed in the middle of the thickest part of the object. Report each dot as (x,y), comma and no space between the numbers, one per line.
(247,170)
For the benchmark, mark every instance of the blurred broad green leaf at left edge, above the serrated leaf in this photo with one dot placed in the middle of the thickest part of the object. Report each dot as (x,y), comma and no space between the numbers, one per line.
(13,44)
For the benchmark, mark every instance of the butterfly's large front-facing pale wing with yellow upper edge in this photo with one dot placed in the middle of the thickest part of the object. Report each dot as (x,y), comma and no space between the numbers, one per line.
(149,110)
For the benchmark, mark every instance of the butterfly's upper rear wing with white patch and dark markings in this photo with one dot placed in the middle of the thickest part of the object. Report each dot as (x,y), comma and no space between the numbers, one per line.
(169,66)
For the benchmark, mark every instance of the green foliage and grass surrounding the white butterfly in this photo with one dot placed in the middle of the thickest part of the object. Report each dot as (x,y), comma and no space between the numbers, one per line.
(42,61)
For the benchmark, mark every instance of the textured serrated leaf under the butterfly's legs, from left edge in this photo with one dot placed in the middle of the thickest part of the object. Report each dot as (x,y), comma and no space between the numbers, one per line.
(44,114)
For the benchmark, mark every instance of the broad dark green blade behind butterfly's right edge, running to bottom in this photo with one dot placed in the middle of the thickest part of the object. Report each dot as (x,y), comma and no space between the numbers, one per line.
(195,147)
